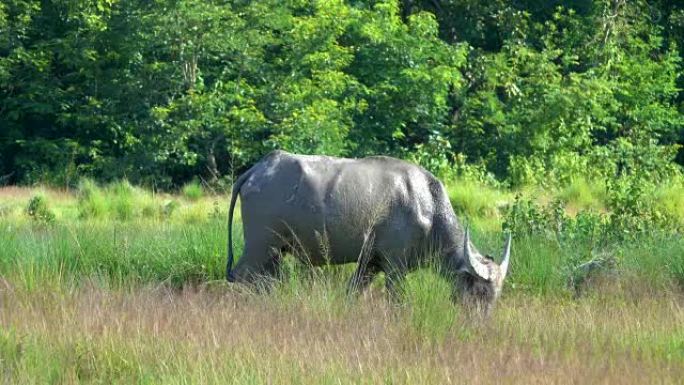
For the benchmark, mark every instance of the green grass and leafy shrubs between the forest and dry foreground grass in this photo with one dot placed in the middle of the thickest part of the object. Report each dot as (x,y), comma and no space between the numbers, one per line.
(121,232)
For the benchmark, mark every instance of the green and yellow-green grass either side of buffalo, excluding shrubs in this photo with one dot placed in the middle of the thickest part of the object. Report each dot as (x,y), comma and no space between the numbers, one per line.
(123,233)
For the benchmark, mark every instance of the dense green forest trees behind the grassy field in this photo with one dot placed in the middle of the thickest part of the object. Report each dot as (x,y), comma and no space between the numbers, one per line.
(163,91)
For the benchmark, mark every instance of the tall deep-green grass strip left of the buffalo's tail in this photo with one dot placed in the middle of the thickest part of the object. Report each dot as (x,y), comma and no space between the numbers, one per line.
(117,251)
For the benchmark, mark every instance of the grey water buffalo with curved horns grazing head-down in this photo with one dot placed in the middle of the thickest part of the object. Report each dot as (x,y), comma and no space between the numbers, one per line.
(384,213)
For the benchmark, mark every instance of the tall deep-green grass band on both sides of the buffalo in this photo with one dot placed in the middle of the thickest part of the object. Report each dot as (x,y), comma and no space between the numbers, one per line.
(154,251)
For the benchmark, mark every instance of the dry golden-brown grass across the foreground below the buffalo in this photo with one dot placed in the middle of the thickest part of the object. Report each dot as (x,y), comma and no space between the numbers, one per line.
(220,335)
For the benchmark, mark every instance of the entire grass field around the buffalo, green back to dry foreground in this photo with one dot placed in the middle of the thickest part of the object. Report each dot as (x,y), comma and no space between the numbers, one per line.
(126,286)
